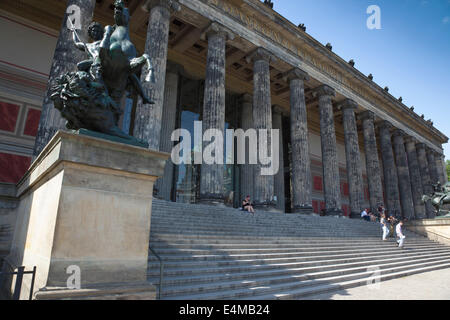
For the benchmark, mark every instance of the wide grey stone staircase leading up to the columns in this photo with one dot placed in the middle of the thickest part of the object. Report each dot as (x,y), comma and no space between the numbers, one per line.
(223,253)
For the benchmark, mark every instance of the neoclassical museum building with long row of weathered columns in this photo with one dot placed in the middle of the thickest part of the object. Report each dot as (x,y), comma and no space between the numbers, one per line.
(345,142)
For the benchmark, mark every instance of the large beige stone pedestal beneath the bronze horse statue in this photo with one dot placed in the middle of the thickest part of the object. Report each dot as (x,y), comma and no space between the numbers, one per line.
(86,202)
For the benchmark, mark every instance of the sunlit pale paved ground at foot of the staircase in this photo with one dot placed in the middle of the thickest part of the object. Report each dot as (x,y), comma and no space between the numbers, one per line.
(434,285)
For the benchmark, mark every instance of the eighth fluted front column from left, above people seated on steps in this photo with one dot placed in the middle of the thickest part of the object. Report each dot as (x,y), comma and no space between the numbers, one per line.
(372,160)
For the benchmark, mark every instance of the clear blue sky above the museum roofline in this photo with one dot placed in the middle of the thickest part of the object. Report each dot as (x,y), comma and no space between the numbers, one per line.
(410,53)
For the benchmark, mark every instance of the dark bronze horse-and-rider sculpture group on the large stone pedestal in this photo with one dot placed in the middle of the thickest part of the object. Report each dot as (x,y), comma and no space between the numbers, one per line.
(90,97)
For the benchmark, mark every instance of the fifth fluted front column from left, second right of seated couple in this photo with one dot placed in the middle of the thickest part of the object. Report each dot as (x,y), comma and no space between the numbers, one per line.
(301,162)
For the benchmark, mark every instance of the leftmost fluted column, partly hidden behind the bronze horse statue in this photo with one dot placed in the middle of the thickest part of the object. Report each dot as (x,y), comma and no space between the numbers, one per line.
(65,59)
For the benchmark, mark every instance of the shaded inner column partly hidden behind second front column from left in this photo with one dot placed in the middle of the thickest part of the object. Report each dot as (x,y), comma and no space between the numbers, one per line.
(164,184)
